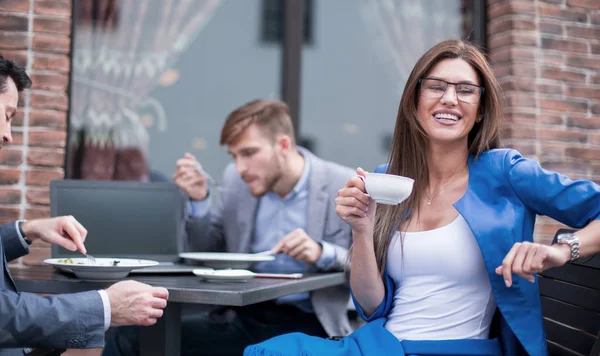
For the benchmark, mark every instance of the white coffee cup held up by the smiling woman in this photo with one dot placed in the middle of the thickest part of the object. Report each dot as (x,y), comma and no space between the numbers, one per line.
(388,189)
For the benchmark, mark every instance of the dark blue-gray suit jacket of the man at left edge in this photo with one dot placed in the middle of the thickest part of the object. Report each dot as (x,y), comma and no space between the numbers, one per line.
(28,320)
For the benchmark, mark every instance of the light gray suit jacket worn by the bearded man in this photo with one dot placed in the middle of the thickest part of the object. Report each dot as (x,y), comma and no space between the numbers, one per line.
(230,226)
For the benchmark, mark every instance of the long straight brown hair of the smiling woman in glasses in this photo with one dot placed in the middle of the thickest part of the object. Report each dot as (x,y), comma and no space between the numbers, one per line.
(409,144)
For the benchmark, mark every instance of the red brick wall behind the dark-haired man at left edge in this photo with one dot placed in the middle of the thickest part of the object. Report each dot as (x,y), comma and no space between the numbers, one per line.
(35,34)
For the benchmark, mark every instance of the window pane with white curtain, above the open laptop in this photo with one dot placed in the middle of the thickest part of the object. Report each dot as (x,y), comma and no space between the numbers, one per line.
(153,79)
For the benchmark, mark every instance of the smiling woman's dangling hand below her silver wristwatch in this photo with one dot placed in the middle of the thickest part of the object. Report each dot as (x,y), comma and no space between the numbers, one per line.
(526,258)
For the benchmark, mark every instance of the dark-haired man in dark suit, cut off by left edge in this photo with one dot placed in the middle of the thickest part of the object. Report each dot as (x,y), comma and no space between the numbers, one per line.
(62,321)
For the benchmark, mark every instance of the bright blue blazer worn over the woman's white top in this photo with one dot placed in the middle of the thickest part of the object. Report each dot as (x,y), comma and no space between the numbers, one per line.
(504,195)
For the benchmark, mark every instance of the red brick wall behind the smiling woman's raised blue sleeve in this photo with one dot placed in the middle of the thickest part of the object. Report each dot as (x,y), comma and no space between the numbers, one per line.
(546,54)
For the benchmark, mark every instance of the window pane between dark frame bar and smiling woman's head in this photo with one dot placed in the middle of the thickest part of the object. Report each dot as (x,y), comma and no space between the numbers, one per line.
(354,73)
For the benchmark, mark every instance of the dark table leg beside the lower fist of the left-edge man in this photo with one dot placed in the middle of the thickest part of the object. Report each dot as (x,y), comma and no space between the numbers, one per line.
(164,337)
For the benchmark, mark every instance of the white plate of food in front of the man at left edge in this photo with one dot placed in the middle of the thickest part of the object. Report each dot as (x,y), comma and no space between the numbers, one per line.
(104,269)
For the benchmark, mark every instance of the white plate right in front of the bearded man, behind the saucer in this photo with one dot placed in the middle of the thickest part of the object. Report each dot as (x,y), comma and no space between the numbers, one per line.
(226,259)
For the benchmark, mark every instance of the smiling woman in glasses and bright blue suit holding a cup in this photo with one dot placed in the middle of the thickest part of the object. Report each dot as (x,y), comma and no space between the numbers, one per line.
(452,269)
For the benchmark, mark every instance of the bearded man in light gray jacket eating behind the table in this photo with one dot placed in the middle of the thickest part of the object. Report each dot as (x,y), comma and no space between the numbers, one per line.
(279,197)
